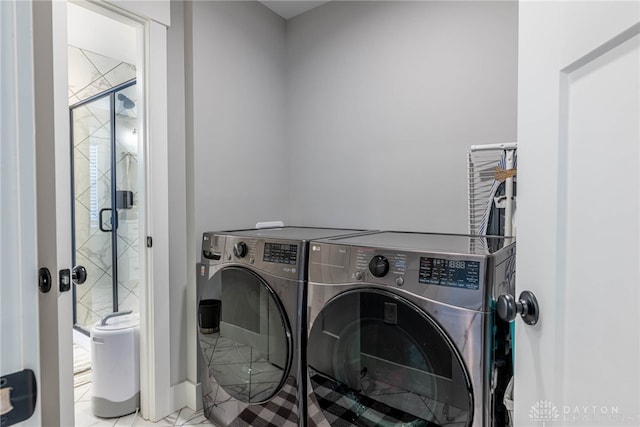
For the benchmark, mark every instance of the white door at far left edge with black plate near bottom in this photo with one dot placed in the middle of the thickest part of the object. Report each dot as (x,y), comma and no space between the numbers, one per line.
(19,346)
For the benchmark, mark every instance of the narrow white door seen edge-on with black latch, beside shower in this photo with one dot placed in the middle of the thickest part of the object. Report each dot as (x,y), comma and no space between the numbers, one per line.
(53,209)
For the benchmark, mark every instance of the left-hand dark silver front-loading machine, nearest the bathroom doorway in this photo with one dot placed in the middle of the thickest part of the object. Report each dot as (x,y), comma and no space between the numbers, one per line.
(250,362)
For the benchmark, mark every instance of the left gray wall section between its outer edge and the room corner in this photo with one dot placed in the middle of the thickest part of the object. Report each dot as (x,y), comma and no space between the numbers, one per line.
(240,155)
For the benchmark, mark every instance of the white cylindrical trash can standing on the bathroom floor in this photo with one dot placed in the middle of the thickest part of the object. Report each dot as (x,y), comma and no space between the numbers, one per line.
(115,365)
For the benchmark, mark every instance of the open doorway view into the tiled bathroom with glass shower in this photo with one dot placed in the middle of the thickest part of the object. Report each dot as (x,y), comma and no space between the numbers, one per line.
(107,186)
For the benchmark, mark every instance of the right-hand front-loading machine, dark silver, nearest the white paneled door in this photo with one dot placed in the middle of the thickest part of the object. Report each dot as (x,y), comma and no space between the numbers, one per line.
(403,331)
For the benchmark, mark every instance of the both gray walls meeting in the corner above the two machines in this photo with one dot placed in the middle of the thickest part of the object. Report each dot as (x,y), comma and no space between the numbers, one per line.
(353,114)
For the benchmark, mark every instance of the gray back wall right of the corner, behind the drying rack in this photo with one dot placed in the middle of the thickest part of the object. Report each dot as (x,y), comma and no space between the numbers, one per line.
(384,100)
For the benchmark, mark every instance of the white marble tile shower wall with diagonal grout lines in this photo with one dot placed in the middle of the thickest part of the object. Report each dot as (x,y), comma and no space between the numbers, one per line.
(89,74)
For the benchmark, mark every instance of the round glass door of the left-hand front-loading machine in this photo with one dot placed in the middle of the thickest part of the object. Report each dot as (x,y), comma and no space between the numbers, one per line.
(247,346)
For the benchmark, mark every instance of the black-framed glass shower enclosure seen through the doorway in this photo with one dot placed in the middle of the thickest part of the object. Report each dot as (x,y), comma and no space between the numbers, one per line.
(104,144)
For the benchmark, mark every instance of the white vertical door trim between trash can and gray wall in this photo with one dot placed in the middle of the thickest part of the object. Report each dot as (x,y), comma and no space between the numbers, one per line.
(155,345)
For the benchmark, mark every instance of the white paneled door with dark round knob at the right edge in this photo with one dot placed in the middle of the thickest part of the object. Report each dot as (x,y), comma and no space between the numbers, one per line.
(579,213)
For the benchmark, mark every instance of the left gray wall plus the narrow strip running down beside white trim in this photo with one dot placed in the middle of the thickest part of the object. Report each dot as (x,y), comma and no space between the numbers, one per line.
(236,153)
